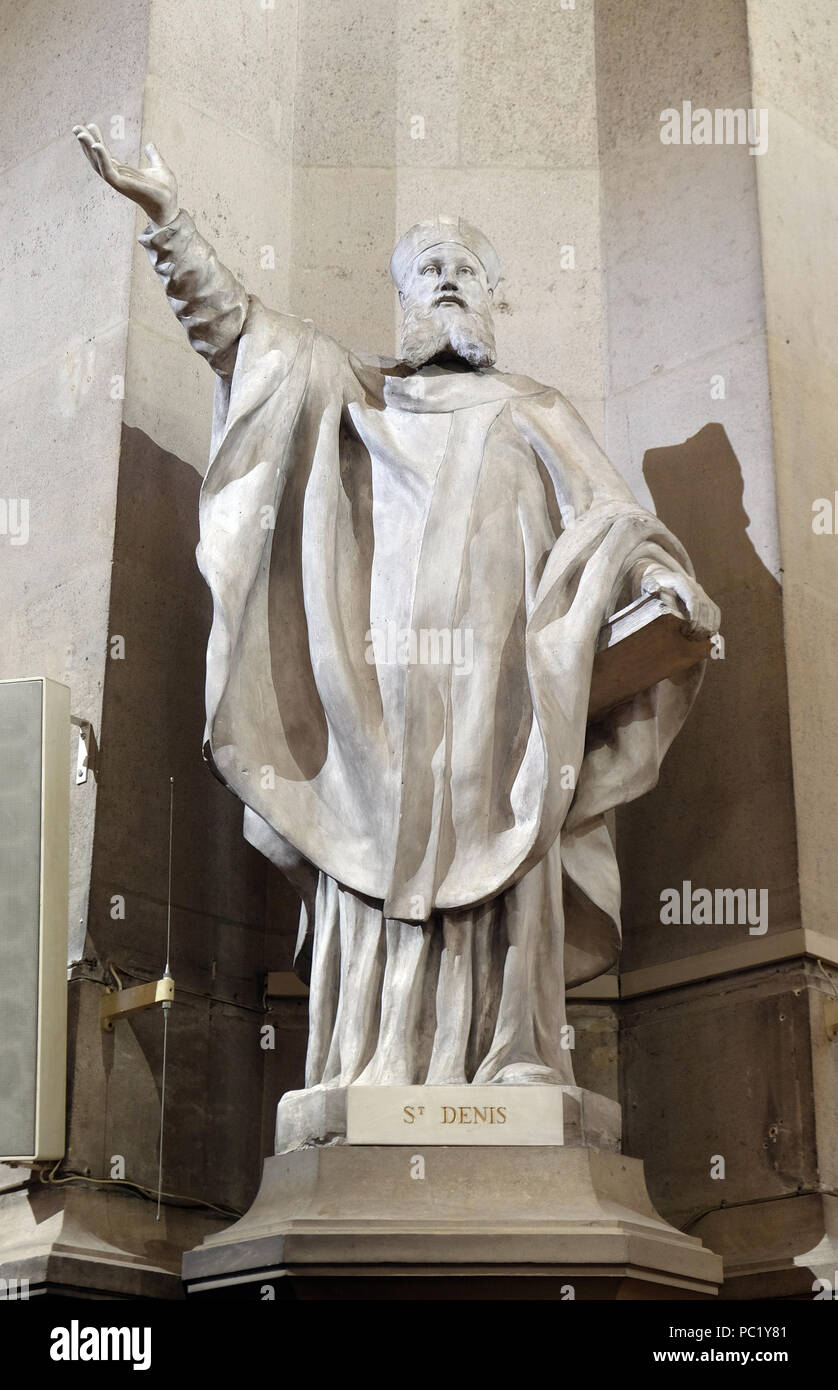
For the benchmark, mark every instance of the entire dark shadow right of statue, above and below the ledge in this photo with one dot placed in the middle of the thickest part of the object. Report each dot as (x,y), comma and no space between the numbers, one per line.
(723,1067)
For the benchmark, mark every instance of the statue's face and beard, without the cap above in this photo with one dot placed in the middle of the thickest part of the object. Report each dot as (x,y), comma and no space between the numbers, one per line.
(448,309)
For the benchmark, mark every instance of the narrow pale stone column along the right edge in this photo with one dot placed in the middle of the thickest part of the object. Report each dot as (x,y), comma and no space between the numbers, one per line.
(796,81)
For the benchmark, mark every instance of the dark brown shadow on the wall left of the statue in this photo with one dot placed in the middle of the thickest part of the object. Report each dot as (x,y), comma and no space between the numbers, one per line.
(154,722)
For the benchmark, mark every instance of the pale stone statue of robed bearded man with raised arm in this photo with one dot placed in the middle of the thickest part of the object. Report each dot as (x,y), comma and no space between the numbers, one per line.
(411,564)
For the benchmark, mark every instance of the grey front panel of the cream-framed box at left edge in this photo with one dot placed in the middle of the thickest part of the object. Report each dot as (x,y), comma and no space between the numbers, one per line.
(20,910)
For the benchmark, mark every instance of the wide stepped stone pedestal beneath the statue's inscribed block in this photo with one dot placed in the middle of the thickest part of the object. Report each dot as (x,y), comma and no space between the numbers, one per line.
(384,1223)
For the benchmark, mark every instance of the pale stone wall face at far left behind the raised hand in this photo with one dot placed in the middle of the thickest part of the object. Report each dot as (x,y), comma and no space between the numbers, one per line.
(65,315)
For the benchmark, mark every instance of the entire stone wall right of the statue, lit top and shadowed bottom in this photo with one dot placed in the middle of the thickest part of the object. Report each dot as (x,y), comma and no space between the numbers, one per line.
(707,250)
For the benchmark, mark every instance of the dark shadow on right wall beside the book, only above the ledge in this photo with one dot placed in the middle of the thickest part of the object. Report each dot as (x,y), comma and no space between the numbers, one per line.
(723,814)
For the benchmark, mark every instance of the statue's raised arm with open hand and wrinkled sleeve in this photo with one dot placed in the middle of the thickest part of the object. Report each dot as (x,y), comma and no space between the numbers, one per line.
(205,295)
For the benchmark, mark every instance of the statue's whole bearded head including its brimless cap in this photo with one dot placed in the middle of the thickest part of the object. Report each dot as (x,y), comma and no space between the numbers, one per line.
(447,273)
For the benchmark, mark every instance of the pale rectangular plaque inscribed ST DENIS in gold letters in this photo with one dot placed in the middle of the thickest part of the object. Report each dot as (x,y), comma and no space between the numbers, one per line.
(455,1115)
